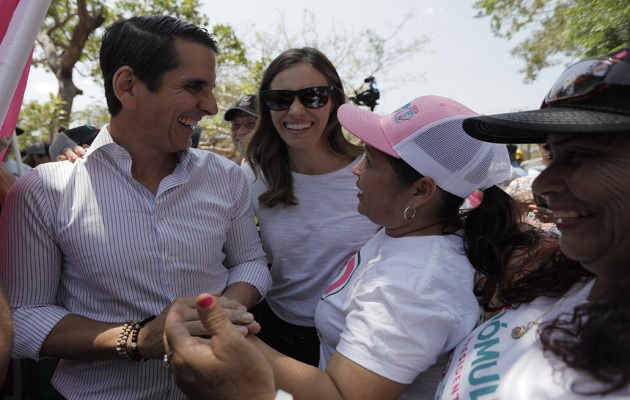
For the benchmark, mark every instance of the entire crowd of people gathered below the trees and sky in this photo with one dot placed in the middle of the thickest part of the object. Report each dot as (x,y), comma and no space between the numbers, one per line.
(417,257)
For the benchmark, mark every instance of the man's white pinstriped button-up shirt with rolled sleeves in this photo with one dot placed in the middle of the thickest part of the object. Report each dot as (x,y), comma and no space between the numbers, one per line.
(86,238)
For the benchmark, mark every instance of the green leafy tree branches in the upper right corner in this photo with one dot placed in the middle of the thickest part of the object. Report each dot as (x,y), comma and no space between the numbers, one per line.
(561,31)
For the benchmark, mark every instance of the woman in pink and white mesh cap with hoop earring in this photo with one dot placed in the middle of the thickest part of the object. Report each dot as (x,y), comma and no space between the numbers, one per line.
(391,316)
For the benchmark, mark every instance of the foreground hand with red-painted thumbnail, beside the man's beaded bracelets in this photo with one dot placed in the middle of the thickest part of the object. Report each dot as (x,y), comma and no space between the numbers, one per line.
(223,367)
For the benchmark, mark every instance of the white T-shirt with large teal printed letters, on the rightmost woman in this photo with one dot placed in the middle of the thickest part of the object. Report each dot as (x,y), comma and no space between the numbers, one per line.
(486,364)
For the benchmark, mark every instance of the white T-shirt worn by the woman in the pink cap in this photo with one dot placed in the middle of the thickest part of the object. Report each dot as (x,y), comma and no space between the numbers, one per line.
(398,306)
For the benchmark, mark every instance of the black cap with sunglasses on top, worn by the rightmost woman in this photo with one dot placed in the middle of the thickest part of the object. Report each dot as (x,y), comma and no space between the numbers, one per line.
(590,97)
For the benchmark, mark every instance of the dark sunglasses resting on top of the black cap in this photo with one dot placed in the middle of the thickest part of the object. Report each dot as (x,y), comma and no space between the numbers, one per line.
(586,78)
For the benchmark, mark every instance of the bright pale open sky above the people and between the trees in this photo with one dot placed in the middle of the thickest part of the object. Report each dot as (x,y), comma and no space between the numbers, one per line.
(462,61)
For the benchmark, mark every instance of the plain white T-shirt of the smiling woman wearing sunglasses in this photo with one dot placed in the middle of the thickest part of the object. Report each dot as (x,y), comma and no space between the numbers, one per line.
(308,243)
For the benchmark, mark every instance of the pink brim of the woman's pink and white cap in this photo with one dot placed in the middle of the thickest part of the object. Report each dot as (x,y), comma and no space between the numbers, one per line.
(365,125)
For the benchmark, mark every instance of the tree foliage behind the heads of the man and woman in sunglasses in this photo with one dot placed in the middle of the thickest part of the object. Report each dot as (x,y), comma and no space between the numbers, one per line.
(357,55)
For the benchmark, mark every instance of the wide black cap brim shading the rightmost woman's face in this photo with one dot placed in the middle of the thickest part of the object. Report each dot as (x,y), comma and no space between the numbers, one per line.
(534,126)
